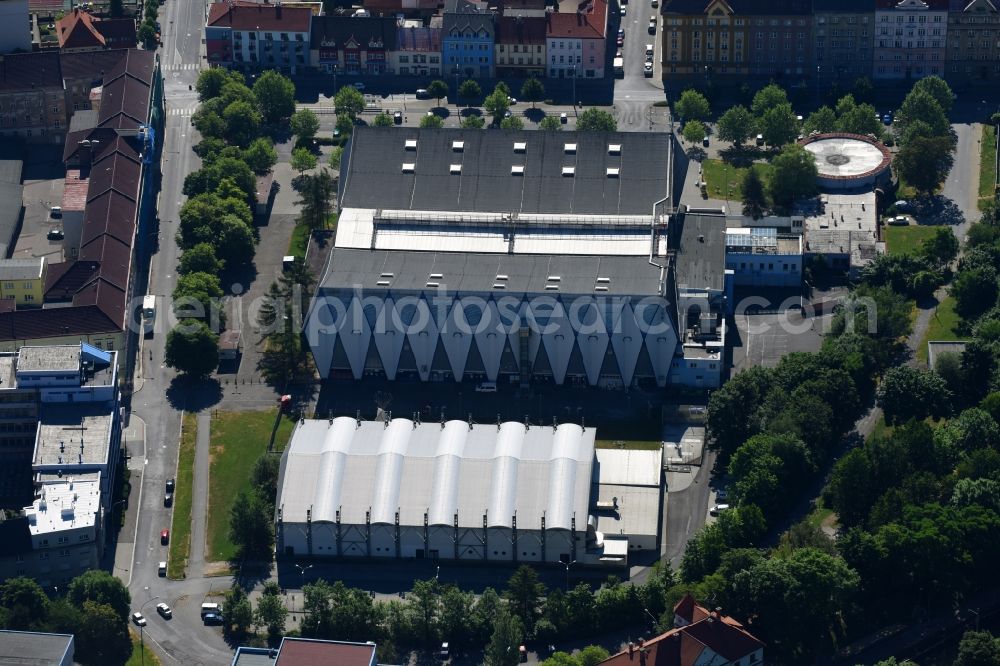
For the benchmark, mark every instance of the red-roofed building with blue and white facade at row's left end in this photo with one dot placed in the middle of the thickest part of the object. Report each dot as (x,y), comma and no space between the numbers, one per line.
(257,35)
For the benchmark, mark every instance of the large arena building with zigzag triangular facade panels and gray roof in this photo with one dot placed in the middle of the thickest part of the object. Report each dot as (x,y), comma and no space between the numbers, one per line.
(519,257)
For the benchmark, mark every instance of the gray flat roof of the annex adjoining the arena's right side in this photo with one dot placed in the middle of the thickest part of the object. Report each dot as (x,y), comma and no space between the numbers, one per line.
(701,257)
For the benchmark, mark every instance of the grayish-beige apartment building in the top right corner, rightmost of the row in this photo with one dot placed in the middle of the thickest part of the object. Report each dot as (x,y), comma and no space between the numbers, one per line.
(973,43)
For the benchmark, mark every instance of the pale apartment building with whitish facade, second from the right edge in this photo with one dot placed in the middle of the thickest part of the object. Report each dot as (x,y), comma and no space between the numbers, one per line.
(910,39)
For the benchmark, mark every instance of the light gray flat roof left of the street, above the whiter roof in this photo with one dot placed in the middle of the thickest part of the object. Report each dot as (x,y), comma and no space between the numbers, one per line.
(70,426)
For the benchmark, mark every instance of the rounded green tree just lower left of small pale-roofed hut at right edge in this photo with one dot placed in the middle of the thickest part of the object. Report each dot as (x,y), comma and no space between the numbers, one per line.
(909,393)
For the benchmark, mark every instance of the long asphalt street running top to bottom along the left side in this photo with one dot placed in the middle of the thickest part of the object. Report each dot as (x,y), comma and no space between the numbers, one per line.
(183,639)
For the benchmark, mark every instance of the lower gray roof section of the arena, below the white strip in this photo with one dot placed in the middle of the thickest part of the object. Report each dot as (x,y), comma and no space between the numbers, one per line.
(477,272)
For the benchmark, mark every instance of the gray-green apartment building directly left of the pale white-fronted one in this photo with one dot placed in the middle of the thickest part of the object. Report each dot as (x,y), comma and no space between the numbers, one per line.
(843,35)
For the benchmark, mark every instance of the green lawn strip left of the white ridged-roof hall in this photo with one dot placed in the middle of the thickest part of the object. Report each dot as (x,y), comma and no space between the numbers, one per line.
(238,439)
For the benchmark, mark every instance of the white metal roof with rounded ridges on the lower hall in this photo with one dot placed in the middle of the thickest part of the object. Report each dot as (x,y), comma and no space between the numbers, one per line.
(442,470)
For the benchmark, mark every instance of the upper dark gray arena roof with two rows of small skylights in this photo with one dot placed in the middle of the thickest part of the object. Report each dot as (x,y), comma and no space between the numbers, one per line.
(373,174)
